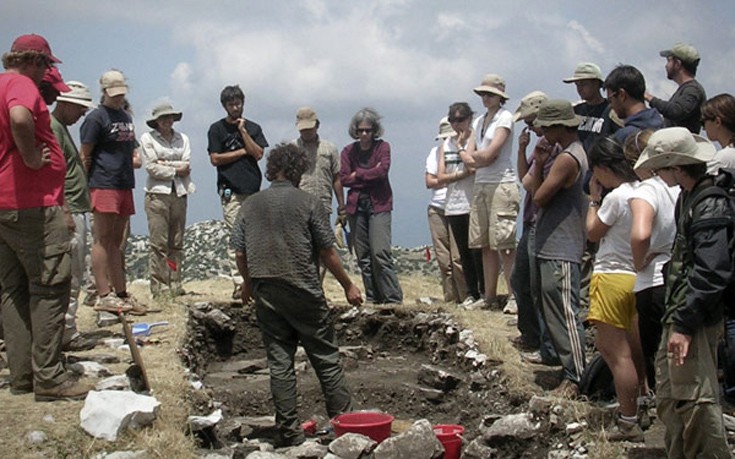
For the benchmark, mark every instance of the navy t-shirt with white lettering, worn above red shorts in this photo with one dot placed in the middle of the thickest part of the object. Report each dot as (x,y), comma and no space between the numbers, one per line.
(113,135)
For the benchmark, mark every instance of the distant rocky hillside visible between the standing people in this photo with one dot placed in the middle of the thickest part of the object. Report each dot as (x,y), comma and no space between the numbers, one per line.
(205,252)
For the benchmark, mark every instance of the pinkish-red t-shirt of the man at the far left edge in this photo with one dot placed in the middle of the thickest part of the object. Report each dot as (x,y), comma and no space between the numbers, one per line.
(20,186)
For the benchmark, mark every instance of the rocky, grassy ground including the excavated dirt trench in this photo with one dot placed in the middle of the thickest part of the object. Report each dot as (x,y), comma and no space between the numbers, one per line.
(423,360)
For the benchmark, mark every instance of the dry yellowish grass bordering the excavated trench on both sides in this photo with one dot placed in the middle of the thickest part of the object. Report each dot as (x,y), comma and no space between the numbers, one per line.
(167,438)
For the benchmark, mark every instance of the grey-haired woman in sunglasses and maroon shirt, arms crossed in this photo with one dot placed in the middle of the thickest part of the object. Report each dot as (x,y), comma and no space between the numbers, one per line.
(364,170)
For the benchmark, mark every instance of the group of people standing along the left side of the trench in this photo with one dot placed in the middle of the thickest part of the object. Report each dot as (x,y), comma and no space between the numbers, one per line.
(52,188)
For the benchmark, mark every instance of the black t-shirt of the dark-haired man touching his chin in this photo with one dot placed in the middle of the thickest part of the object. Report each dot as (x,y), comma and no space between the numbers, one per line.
(242,176)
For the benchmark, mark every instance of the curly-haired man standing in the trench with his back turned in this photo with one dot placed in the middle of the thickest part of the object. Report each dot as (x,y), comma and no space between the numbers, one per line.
(278,255)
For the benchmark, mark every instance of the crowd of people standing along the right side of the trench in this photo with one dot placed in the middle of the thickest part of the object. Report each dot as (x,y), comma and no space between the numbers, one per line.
(608,184)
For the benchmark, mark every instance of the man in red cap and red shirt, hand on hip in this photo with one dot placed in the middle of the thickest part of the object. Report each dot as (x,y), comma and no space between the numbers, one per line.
(34,240)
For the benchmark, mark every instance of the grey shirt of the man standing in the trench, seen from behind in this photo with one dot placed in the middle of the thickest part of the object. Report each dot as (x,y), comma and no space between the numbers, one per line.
(281,231)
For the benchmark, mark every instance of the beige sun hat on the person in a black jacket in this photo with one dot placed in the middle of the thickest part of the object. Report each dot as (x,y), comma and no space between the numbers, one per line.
(674,146)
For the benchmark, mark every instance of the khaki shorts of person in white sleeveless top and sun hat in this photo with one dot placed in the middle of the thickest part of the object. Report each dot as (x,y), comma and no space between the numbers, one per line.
(493,216)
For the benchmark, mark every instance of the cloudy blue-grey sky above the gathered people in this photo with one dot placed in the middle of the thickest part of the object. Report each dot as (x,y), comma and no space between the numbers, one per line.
(409,59)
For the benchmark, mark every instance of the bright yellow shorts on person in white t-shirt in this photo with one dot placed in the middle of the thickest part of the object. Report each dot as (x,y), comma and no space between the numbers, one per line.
(612,300)
